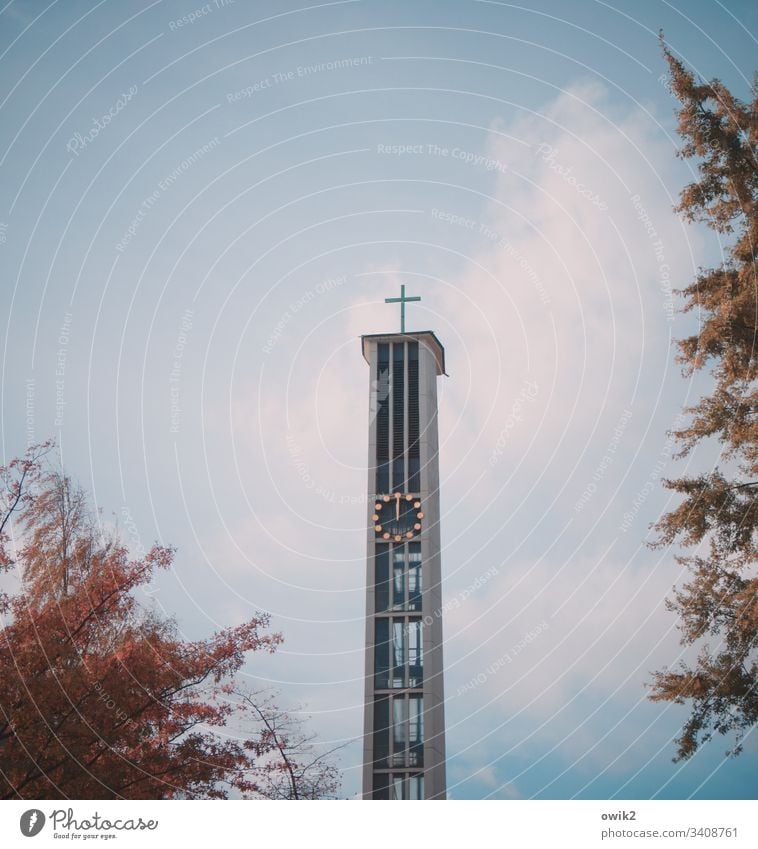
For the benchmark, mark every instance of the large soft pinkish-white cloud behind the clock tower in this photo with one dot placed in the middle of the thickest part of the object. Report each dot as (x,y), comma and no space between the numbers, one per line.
(558,287)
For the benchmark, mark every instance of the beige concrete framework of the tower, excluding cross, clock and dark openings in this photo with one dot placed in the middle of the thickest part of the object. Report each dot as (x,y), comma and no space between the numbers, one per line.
(398,775)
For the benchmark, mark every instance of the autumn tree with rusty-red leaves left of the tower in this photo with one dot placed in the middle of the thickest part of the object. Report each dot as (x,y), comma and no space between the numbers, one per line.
(98,697)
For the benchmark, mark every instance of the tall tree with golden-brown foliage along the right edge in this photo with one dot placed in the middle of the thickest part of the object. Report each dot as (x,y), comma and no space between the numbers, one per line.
(718,513)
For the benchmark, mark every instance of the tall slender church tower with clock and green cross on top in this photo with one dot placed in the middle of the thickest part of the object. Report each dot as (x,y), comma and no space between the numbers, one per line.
(404,717)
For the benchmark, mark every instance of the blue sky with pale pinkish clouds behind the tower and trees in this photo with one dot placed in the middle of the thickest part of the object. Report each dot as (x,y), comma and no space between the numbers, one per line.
(203,207)
